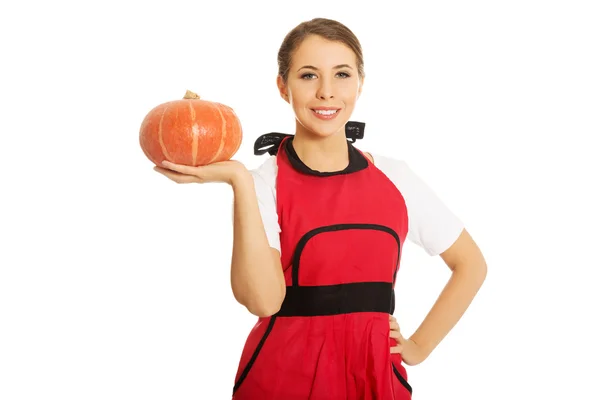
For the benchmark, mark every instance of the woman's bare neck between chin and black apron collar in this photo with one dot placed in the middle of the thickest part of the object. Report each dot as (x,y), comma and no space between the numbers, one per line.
(324,154)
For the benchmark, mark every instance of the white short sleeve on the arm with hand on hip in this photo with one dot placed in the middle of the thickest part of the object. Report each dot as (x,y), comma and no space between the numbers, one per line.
(431,224)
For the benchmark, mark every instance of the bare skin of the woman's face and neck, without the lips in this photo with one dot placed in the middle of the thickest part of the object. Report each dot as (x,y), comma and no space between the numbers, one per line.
(316,80)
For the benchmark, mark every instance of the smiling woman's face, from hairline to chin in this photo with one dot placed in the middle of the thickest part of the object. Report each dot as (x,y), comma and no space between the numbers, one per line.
(323,86)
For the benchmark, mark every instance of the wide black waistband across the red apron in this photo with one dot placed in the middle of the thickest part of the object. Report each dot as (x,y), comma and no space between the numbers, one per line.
(309,301)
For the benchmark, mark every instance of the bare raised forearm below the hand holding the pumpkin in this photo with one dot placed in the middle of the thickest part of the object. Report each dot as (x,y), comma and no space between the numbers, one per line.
(257,277)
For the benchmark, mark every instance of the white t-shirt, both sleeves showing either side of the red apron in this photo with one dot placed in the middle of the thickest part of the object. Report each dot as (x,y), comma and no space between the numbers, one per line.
(431,225)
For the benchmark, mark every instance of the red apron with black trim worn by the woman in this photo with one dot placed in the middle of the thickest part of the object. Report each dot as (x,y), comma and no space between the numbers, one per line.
(341,241)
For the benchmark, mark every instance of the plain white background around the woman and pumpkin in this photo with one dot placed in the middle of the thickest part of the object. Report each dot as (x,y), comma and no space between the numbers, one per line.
(114,281)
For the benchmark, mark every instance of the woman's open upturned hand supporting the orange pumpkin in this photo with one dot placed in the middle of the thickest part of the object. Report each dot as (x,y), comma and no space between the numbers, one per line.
(223,171)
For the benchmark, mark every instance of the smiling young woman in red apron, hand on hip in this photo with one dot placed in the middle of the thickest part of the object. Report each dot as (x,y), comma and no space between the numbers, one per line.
(318,235)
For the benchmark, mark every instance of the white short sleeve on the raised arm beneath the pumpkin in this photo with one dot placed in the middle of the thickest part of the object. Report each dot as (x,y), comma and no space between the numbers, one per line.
(264,184)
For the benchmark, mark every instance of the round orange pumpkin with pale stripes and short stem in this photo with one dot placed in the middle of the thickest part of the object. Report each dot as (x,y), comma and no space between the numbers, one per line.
(191,132)
